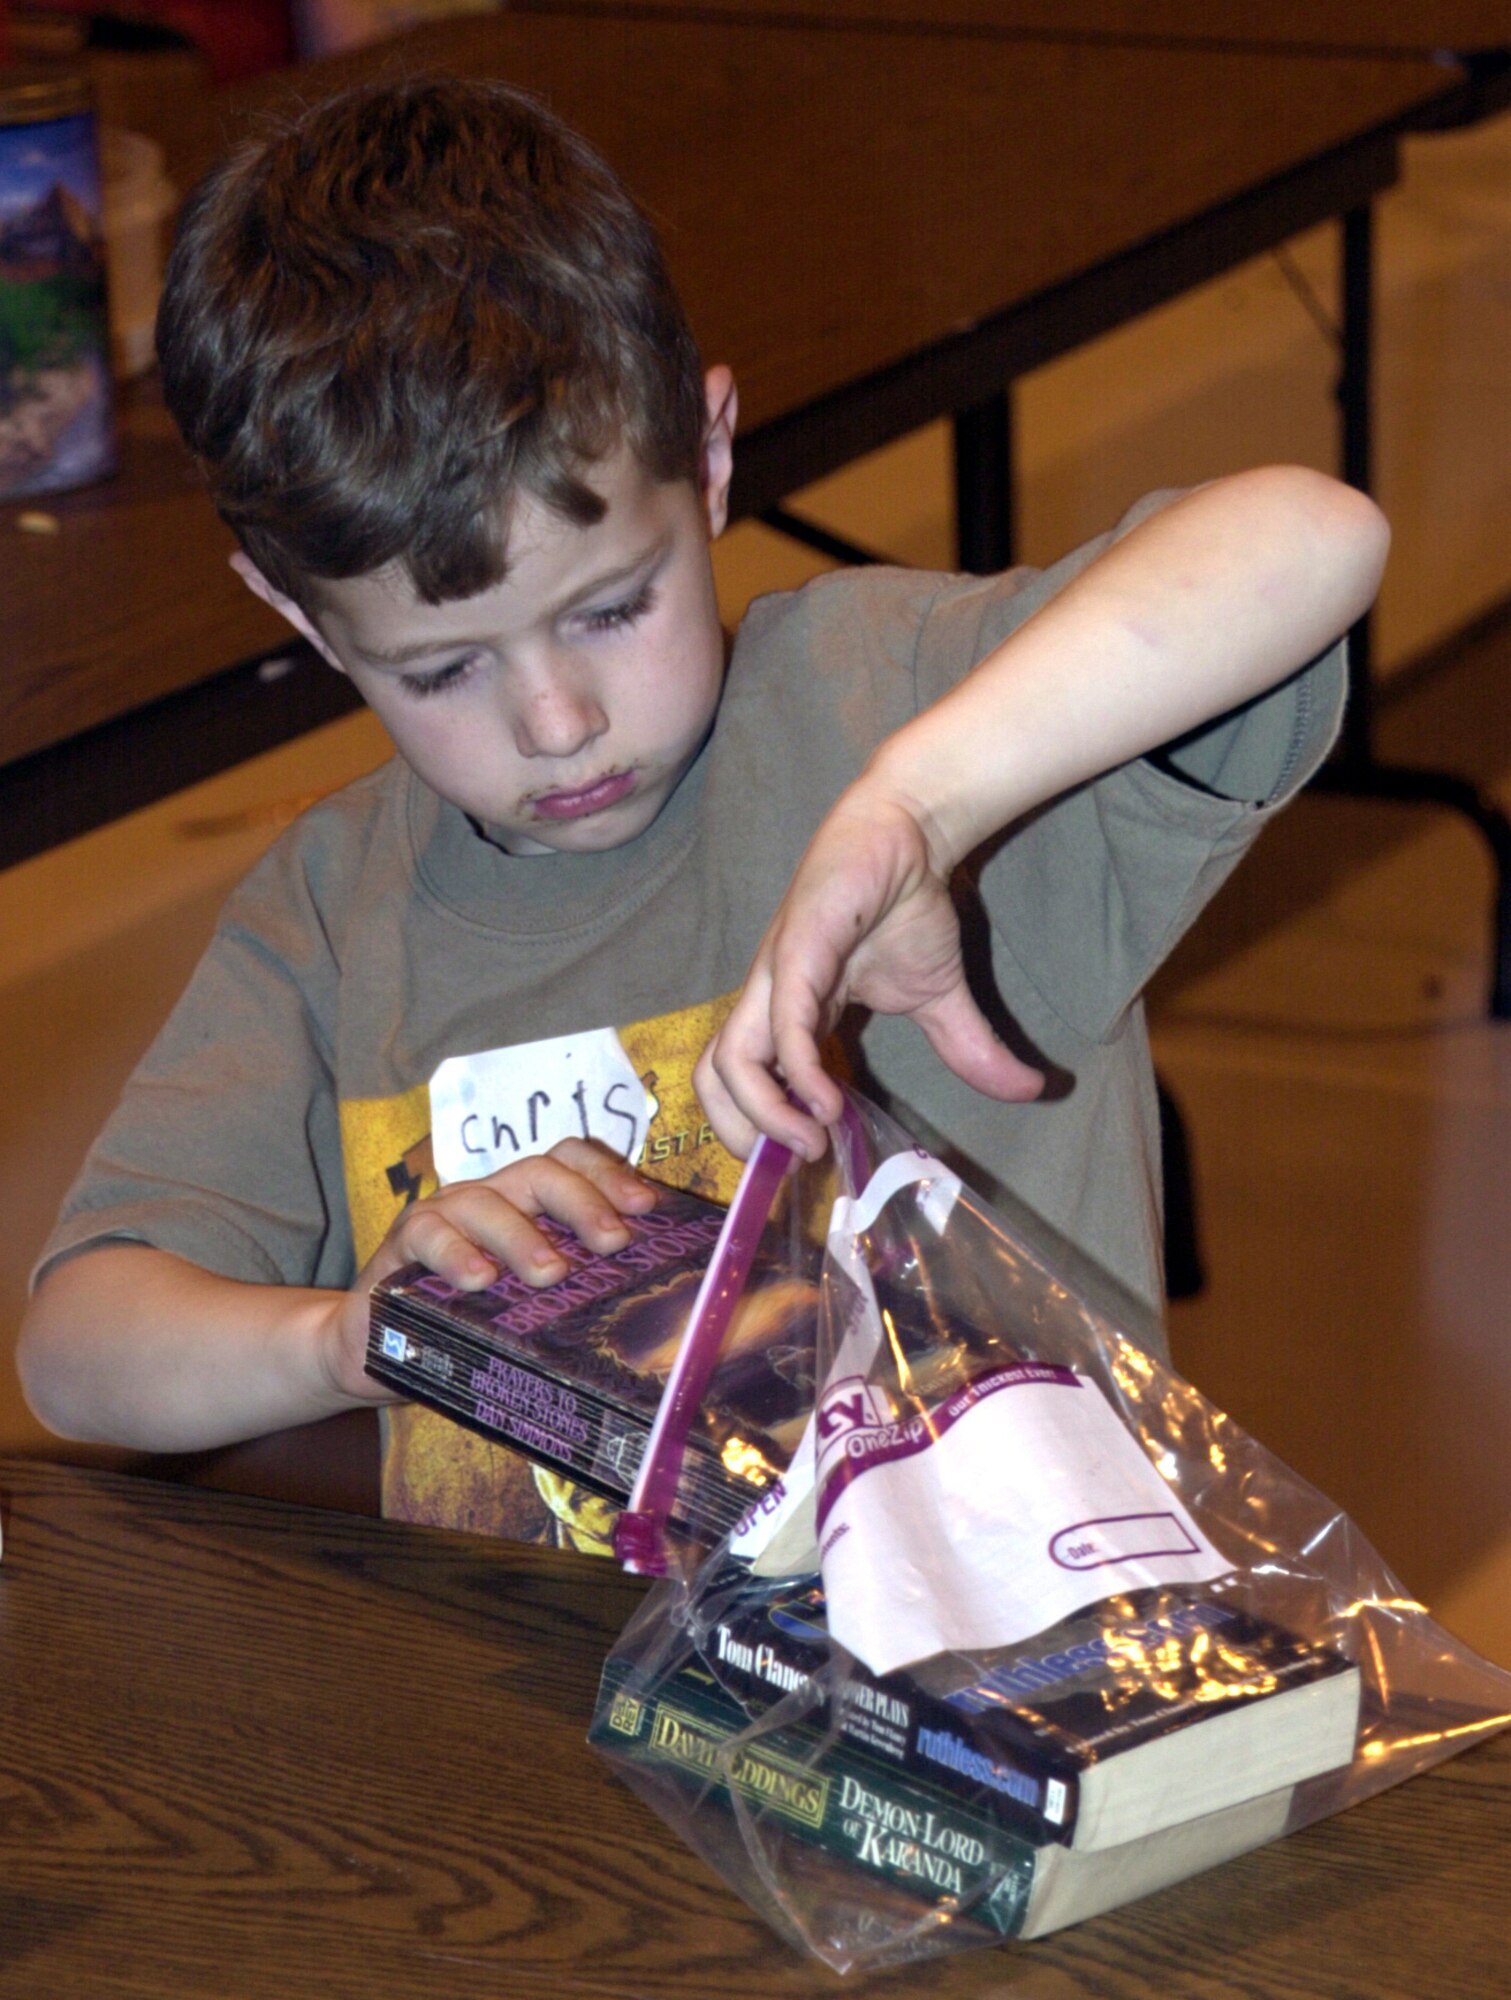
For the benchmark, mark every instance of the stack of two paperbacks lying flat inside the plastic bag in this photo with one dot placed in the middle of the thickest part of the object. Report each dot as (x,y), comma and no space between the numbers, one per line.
(1110,1757)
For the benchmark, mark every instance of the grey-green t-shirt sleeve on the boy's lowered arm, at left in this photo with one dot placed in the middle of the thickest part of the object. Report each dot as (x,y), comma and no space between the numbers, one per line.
(225,1147)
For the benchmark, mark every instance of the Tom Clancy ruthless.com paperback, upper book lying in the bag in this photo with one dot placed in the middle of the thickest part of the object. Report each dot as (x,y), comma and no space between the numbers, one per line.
(1138,1715)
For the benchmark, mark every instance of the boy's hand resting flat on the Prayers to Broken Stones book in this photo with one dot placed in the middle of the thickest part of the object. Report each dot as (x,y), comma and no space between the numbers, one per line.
(475,1229)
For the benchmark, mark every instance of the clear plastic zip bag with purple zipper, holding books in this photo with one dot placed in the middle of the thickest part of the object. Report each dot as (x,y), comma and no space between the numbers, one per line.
(1028,1629)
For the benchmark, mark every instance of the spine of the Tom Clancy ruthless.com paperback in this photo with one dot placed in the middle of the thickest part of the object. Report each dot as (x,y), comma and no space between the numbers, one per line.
(894,1721)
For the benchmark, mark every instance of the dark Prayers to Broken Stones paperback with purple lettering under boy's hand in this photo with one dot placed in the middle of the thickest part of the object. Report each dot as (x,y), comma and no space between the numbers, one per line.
(573,1375)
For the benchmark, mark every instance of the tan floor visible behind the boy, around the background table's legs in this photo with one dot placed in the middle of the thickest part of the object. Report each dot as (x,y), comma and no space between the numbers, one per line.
(1324,1029)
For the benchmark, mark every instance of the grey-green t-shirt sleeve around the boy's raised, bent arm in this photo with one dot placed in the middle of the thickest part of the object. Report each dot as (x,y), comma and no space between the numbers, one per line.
(1094,891)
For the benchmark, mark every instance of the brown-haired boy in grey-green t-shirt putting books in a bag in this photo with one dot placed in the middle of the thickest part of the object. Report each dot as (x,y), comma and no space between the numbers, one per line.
(433,367)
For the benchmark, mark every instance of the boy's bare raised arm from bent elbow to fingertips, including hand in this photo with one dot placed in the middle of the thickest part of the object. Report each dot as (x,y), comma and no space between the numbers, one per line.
(1194,613)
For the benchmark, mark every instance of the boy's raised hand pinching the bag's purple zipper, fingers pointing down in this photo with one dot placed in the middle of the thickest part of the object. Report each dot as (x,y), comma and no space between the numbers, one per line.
(868,919)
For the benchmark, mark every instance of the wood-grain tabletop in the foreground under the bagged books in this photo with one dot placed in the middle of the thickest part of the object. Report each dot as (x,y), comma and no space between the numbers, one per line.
(261,1753)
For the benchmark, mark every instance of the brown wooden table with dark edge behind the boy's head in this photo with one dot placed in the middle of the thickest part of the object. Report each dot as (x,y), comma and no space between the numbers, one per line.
(860,225)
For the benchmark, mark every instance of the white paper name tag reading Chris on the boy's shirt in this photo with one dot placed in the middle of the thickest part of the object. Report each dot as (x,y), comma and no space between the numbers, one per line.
(511,1103)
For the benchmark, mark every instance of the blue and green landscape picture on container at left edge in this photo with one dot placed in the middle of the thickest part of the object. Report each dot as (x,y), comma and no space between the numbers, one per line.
(55,371)
